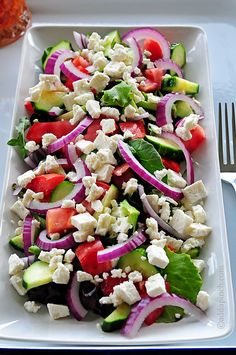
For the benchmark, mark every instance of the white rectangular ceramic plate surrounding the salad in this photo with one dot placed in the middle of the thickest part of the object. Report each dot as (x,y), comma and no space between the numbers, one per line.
(16,323)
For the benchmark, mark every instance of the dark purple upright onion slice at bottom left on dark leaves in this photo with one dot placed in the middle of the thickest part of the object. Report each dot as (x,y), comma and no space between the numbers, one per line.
(73,298)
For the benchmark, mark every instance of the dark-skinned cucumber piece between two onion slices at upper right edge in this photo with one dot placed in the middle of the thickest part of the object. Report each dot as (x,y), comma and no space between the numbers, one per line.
(176,84)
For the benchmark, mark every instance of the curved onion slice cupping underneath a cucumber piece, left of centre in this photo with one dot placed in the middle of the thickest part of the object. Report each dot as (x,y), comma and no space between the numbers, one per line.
(77,194)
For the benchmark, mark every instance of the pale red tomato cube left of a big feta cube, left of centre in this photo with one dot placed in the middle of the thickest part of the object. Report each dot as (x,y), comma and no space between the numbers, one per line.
(58,219)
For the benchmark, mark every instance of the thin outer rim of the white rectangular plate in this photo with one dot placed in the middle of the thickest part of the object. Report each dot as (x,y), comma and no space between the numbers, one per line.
(227,330)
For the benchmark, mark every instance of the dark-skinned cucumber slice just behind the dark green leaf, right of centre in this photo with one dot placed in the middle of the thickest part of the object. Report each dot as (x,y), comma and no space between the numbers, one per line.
(166,148)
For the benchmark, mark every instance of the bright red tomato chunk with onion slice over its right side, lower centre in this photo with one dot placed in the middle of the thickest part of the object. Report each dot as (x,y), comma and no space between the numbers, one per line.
(87,255)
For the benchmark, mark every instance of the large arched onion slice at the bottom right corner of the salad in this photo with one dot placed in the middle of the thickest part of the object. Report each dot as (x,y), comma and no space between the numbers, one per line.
(147,305)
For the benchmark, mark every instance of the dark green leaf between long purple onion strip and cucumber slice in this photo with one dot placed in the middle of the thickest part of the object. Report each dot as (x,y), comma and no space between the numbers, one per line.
(146,155)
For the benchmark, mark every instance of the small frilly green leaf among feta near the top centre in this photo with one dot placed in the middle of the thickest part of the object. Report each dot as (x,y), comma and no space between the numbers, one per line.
(120,95)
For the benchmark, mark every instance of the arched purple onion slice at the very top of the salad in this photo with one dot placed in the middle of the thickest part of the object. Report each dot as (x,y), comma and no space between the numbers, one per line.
(143,33)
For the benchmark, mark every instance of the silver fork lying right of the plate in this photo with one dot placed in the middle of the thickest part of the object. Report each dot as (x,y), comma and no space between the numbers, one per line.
(228,167)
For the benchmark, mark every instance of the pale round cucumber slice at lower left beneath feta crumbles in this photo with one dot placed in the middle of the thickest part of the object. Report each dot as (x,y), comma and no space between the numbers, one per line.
(37,274)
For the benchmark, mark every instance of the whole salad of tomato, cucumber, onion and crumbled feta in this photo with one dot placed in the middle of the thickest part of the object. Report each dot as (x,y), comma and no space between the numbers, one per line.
(111,220)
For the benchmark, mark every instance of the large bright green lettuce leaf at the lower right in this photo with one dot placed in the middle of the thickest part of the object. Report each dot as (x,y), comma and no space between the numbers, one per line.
(183,276)
